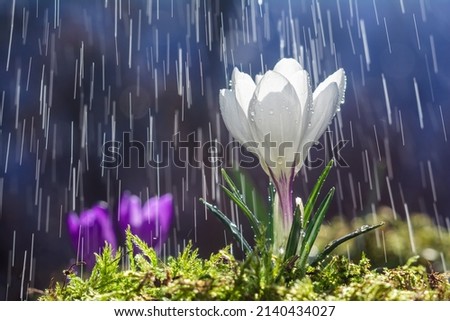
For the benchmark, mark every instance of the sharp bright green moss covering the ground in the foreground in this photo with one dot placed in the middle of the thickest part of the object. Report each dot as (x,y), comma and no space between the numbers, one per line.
(222,277)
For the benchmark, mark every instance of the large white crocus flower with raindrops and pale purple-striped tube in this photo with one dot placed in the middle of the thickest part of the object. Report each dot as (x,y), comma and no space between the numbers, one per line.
(278,118)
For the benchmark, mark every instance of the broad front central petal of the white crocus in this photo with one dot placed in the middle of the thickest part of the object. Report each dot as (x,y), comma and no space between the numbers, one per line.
(273,112)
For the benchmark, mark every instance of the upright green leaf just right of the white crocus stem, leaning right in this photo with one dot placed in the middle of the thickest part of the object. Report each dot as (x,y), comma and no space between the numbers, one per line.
(312,230)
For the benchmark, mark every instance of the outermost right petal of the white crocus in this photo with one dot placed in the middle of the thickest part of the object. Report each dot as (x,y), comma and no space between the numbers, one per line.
(325,106)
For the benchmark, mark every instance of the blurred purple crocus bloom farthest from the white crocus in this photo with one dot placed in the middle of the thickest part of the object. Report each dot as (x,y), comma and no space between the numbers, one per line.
(89,231)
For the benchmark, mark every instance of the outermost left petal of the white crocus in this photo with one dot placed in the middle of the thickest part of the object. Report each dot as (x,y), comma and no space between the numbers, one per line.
(233,116)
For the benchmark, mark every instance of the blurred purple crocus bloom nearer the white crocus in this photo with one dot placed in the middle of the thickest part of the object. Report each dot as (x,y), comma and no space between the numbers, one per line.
(151,222)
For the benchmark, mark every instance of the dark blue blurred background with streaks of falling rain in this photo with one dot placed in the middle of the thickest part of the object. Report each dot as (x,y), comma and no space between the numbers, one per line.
(75,74)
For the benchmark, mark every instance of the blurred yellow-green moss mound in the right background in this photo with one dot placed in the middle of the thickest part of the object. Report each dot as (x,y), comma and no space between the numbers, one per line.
(390,245)
